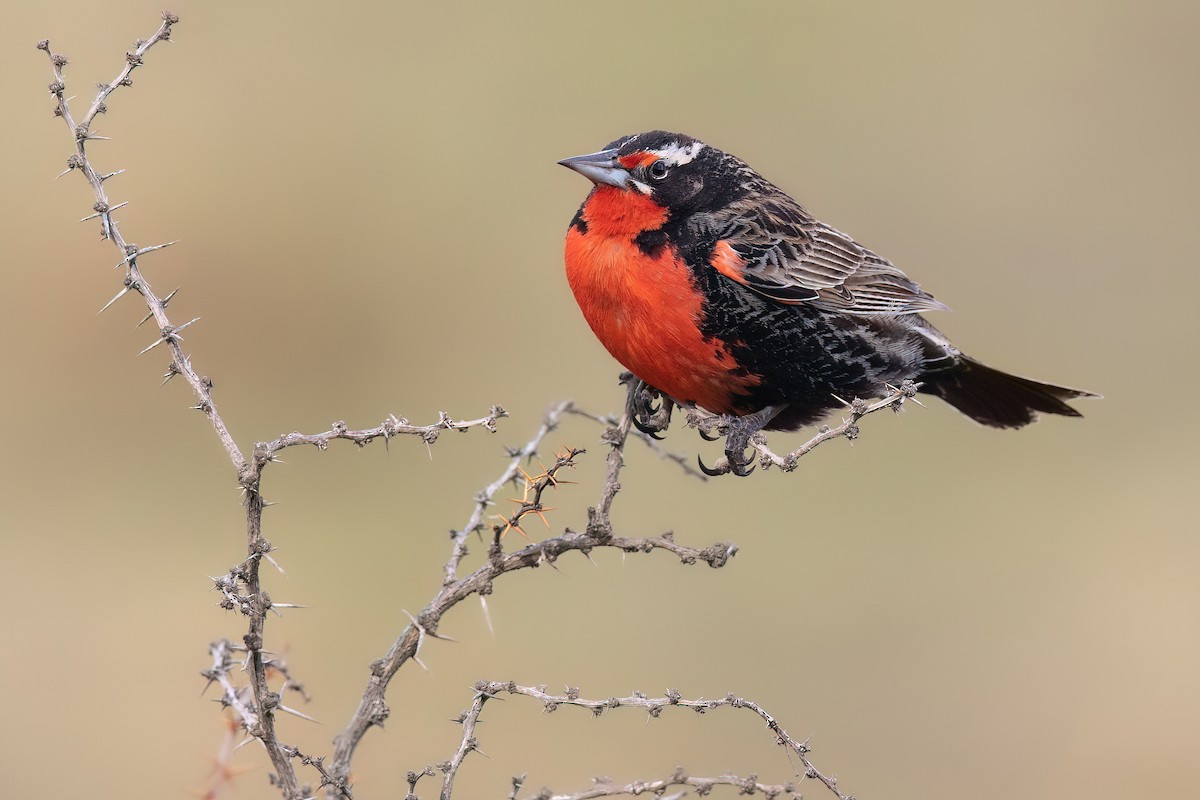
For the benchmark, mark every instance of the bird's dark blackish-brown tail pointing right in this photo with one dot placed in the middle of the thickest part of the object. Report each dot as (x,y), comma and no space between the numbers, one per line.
(998,399)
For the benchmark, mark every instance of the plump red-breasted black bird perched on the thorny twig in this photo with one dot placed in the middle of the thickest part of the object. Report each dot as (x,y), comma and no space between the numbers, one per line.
(717,290)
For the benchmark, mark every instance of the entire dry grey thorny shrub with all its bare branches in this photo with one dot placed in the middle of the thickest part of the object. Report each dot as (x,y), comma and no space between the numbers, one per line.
(253,681)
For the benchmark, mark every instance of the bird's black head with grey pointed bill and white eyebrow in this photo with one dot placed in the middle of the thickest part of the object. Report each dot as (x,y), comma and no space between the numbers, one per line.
(677,172)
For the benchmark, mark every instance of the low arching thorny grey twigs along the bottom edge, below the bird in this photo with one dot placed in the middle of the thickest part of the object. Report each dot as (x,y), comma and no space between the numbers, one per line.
(655,708)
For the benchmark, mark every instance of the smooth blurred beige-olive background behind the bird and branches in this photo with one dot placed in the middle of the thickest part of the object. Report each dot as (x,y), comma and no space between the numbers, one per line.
(371,222)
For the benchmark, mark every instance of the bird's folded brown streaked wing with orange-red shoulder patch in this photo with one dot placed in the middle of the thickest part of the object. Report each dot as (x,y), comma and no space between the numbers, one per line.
(771,245)
